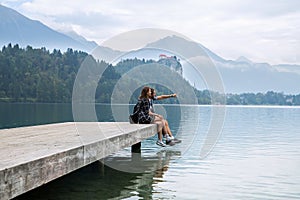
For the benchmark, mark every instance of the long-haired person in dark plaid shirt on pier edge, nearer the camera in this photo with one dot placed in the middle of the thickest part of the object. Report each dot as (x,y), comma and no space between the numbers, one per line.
(147,117)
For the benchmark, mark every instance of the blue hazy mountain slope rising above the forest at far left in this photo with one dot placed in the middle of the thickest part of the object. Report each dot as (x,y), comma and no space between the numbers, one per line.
(15,28)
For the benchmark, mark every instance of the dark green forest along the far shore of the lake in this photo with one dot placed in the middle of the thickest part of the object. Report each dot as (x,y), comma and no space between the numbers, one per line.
(38,75)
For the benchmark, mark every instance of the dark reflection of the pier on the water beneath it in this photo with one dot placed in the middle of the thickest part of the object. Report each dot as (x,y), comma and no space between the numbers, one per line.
(99,181)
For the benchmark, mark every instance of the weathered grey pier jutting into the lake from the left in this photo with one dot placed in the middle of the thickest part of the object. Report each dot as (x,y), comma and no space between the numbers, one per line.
(33,156)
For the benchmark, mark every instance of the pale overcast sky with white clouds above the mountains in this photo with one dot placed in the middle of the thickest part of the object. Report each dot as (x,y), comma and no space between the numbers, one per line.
(262,31)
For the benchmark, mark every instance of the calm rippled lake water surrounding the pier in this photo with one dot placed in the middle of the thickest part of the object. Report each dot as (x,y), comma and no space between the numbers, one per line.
(256,156)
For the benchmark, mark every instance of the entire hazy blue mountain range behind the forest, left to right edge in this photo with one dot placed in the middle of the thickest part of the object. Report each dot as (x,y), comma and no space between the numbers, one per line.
(238,76)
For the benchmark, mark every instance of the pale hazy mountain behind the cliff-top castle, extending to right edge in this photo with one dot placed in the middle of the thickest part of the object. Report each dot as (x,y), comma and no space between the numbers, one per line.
(239,76)
